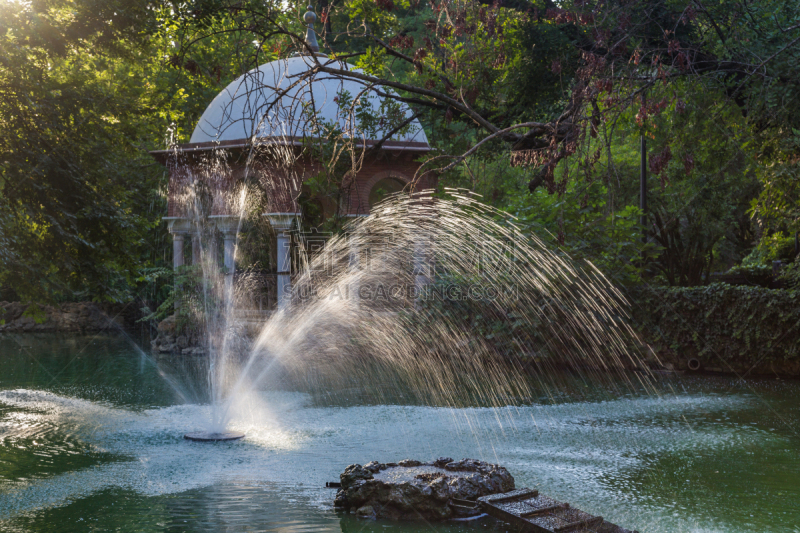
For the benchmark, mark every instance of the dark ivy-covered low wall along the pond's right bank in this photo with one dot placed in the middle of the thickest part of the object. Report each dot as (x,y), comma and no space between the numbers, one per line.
(726,328)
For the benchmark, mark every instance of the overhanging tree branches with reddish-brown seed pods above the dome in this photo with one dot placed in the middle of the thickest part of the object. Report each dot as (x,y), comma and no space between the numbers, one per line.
(474,59)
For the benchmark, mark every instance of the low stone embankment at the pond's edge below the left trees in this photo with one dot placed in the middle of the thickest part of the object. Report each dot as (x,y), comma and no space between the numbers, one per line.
(69,317)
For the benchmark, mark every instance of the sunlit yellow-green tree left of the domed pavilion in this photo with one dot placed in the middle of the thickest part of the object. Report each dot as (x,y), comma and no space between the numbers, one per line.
(77,187)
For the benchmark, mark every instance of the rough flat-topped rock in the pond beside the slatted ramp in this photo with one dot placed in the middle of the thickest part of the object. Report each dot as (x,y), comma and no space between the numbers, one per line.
(415,490)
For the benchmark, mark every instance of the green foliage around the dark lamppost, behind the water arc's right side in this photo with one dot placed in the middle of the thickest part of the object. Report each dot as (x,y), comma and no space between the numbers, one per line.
(698,196)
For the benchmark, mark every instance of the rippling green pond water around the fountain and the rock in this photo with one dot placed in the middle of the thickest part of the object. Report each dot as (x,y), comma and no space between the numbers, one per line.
(91,440)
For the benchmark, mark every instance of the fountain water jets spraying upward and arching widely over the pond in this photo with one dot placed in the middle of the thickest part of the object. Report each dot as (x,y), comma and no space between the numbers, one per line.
(444,297)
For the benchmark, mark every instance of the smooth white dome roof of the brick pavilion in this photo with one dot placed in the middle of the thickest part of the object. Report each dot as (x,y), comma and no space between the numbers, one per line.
(274,101)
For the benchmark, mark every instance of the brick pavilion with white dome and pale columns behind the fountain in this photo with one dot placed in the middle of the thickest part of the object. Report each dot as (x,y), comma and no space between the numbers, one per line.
(264,123)
